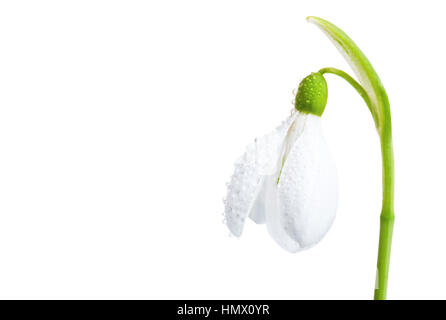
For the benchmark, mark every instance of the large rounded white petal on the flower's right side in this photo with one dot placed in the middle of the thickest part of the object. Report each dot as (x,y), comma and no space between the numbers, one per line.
(307,189)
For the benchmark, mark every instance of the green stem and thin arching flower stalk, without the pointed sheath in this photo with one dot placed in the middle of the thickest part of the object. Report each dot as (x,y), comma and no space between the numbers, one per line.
(387,213)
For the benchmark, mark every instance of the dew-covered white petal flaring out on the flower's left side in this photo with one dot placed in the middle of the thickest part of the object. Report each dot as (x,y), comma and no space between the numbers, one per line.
(259,160)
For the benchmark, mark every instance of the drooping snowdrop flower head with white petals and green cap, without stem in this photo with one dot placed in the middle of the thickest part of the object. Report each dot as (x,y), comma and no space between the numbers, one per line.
(287,178)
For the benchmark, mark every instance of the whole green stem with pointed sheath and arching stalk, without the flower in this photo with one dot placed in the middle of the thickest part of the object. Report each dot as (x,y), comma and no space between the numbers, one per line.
(372,91)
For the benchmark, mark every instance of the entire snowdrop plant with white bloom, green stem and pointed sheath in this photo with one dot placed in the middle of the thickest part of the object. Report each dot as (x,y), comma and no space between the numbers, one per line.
(287,179)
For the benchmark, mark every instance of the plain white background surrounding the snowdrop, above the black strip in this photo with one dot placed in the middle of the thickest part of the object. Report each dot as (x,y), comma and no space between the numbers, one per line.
(120,122)
